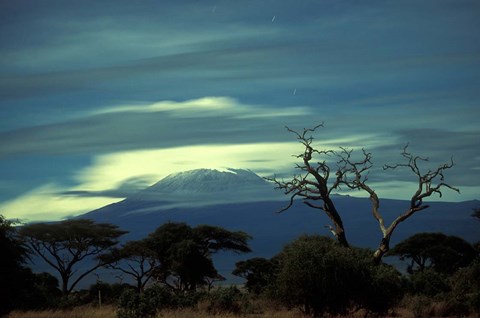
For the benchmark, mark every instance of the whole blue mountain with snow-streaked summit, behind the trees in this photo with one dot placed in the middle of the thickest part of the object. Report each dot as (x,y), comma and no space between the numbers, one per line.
(240,200)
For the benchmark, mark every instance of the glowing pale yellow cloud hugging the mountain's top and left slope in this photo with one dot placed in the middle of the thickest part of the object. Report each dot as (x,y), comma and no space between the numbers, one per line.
(125,172)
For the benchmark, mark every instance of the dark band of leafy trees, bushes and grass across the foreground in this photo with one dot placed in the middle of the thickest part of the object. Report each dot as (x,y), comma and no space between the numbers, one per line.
(173,275)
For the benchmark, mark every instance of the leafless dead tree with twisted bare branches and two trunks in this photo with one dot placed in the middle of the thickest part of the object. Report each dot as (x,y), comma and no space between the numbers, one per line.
(315,184)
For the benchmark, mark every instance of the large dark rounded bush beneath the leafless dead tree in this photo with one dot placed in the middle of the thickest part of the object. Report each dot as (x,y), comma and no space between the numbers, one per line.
(324,277)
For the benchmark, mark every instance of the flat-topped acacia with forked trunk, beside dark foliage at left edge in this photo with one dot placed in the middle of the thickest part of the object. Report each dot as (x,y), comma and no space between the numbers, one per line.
(64,245)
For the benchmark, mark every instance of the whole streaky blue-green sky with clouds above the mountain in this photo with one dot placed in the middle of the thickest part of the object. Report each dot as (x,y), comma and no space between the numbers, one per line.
(104,98)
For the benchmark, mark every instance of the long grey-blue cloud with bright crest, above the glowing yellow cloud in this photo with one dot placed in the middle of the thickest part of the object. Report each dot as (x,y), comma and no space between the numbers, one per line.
(209,120)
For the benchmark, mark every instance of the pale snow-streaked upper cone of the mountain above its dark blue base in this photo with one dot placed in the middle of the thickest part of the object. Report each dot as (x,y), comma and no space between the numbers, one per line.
(195,188)
